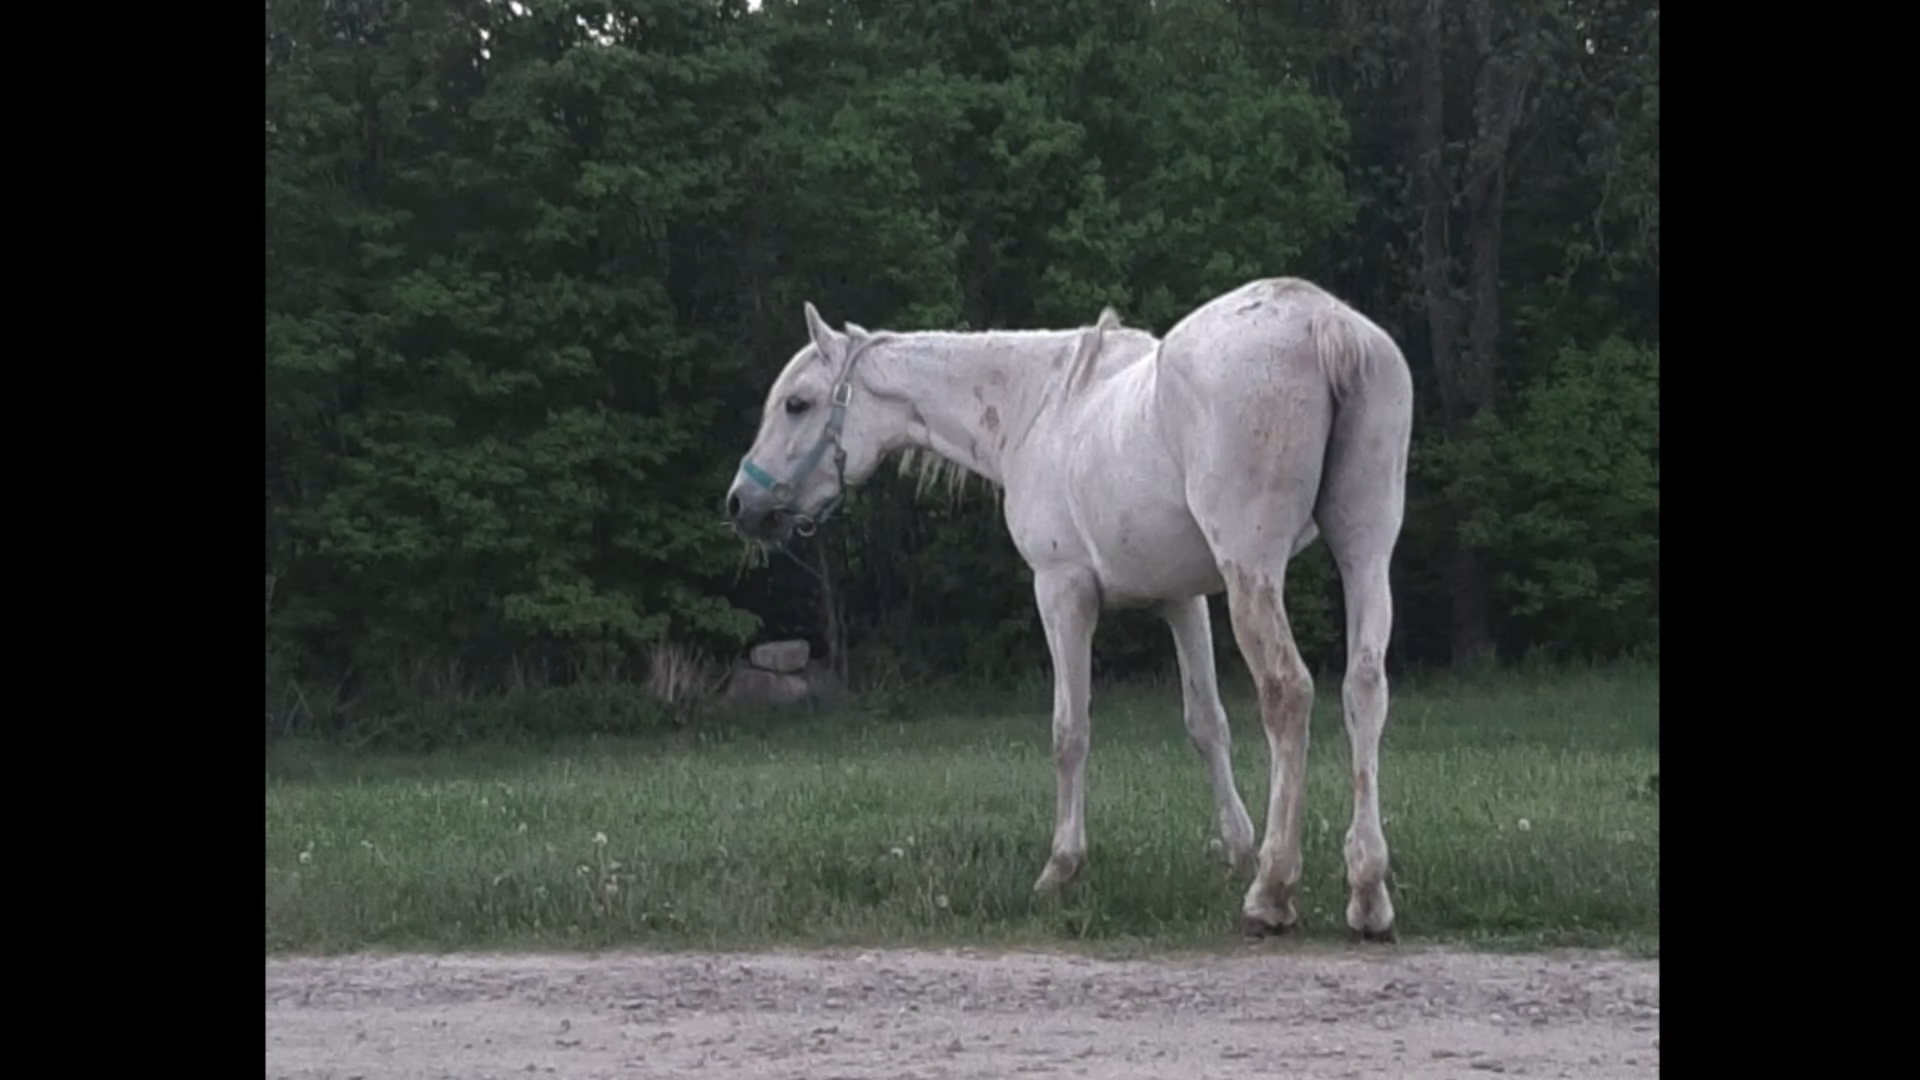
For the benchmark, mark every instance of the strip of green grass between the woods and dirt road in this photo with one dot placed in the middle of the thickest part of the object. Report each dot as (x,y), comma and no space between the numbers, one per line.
(1522,812)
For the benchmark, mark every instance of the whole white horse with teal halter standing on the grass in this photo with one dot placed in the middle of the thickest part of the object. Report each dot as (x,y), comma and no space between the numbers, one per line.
(1141,472)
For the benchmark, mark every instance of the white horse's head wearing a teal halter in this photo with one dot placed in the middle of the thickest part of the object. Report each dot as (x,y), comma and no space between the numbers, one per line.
(821,435)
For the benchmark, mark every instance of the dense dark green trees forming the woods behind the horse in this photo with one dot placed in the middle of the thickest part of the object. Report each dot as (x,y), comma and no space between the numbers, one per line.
(531,268)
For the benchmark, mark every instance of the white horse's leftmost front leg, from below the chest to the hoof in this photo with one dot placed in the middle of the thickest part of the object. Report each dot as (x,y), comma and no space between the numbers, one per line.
(1070,608)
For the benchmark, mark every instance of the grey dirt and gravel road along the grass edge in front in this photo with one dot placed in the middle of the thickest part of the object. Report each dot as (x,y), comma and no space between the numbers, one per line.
(1289,1014)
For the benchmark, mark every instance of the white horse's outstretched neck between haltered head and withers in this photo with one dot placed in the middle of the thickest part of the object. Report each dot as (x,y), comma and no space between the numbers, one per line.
(976,395)
